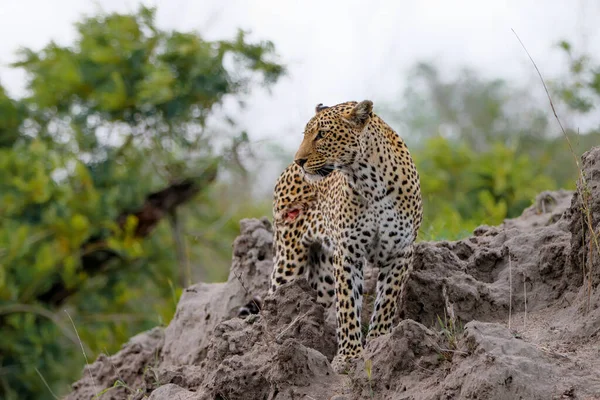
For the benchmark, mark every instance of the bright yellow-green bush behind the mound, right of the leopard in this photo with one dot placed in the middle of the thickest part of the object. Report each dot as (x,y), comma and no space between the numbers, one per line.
(463,189)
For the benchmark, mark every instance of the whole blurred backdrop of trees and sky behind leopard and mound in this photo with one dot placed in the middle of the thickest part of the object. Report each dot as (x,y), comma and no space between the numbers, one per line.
(135,135)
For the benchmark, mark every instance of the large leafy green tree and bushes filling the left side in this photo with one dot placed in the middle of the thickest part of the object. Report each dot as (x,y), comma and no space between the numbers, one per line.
(116,116)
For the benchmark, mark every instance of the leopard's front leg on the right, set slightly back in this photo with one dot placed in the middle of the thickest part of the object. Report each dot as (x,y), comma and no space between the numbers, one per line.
(392,277)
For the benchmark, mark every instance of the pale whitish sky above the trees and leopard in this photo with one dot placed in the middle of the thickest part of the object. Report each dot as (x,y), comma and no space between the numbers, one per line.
(338,50)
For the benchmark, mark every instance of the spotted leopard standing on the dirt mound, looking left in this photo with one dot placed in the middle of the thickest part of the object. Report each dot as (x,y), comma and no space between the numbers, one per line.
(350,198)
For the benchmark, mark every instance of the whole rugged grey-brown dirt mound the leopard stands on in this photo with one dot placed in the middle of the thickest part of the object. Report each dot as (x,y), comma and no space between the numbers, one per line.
(512,312)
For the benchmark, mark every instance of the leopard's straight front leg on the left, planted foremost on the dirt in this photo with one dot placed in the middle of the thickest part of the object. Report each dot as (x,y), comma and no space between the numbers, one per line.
(348,271)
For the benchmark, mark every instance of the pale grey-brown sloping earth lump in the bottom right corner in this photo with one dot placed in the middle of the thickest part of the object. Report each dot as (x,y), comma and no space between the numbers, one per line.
(502,366)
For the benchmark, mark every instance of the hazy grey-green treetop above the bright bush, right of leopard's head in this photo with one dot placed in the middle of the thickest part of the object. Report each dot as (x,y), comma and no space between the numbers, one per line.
(467,107)
